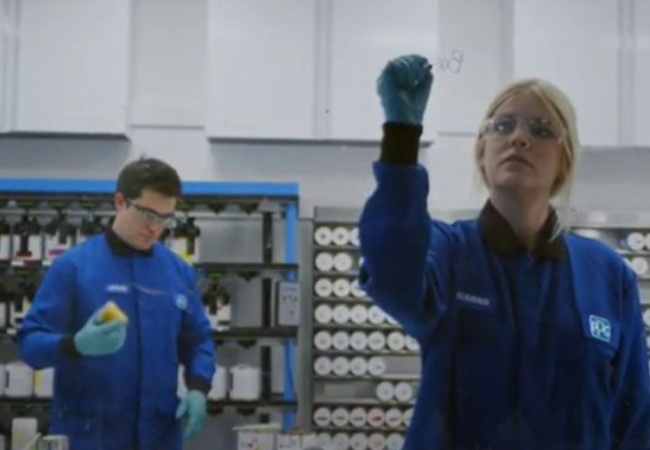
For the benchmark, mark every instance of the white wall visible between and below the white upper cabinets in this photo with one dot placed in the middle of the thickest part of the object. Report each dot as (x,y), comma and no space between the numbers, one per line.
(168,107)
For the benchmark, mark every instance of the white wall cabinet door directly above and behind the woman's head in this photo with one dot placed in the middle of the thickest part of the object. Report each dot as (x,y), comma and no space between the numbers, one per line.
(575,44)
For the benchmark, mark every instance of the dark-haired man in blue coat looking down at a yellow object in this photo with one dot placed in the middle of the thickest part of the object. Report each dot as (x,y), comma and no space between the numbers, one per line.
(116,381)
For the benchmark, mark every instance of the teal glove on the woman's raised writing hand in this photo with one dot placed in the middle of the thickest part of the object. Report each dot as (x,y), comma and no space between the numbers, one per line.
(403,87)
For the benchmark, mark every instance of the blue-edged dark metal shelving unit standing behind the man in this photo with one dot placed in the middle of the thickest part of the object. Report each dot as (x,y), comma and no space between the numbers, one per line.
(200,199)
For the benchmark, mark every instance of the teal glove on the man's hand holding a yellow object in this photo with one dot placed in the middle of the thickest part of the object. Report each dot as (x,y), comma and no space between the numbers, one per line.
(98,339)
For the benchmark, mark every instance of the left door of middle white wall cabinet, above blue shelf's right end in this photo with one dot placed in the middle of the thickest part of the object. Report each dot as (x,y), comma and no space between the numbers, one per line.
(261,73)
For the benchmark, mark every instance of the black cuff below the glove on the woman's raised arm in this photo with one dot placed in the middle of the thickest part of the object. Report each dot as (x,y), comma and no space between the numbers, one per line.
(400,143)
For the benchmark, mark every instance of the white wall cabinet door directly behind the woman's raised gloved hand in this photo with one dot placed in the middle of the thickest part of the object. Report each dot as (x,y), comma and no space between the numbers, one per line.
(365,34)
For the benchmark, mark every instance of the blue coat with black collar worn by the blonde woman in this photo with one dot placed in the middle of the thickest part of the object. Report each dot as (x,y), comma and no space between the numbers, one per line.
(541,349)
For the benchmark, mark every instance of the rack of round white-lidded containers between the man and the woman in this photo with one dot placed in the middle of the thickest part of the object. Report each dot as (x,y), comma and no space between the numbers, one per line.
(350,395)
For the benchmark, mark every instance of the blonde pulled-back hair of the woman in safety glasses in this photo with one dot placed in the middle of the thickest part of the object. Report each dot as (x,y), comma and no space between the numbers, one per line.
(562,114)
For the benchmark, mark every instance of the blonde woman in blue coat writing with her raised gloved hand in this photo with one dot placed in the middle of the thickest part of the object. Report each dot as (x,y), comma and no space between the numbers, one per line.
(531,337)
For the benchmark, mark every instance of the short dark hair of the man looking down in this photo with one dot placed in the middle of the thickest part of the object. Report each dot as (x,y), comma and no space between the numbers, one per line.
(148,173)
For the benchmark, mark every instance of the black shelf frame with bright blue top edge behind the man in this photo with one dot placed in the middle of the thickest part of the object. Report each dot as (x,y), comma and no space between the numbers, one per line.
(267,199)
